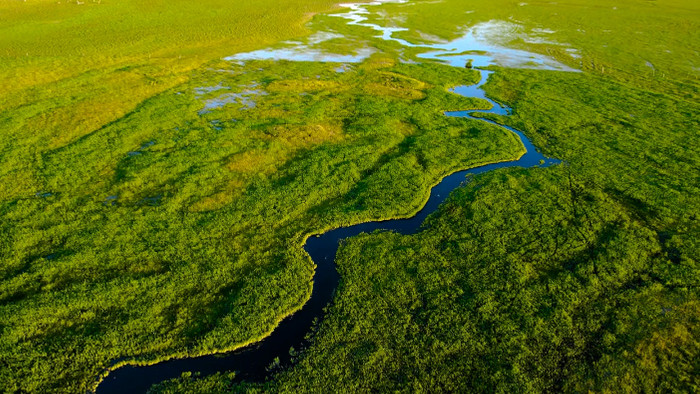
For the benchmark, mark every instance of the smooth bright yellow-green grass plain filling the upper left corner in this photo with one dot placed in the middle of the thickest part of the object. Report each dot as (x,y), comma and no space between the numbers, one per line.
(69,69)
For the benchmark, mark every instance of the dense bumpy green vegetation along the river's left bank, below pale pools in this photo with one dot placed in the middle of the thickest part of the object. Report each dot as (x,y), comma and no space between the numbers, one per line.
(176,230)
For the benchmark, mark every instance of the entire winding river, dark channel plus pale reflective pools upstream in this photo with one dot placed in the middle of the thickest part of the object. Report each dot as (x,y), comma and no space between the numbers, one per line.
(252,362)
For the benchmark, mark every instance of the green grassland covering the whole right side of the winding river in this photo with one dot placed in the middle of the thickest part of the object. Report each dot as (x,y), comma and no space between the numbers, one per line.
(581,277)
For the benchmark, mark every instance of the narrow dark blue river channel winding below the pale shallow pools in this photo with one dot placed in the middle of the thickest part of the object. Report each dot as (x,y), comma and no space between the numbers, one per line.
(251,363)
